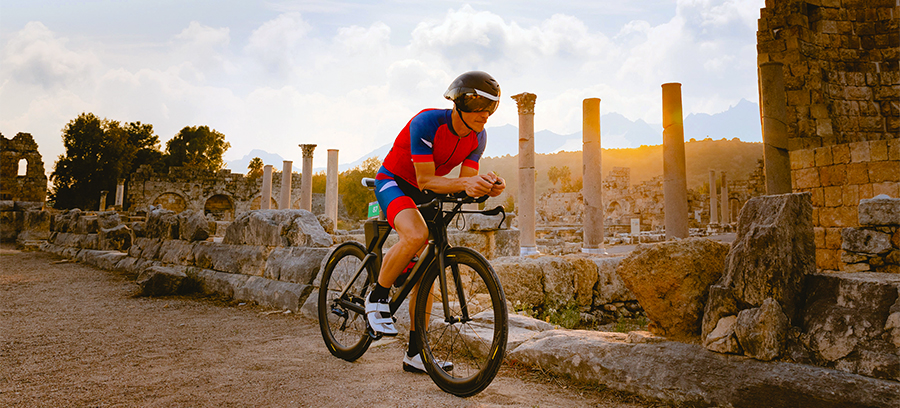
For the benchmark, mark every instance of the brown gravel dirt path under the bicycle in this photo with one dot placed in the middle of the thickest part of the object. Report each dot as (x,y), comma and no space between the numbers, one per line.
(73,335)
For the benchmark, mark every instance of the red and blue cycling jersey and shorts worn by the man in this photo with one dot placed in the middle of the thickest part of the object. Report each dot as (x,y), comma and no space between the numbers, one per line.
(426,138)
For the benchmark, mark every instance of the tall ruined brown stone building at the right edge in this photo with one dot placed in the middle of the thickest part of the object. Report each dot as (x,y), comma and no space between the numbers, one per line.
(842,81)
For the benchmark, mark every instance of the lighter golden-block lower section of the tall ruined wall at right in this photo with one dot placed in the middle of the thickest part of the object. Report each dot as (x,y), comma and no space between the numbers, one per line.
(839,177)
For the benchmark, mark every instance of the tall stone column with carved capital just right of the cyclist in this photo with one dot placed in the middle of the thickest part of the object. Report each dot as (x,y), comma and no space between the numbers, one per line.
(527,239)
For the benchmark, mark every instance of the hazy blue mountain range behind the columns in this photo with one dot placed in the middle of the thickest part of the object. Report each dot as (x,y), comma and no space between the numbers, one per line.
(616,131)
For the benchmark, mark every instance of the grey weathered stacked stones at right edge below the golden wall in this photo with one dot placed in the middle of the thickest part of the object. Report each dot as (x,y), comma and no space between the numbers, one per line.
(875,245)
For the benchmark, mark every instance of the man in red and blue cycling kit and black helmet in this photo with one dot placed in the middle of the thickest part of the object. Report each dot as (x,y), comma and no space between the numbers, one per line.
(432,144)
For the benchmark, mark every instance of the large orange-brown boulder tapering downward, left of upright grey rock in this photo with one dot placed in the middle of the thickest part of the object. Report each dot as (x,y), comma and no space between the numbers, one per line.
(671,282)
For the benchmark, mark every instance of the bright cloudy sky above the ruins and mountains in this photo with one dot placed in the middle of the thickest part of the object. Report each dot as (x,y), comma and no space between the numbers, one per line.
(349,74)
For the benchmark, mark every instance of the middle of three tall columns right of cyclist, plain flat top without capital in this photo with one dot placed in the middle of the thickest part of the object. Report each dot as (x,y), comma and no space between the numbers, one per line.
(592,175)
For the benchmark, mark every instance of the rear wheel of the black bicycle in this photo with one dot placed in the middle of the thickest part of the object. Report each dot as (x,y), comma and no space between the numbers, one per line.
(344,330)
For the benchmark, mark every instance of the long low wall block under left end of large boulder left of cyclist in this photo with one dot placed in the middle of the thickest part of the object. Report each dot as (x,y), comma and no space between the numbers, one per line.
(238,259)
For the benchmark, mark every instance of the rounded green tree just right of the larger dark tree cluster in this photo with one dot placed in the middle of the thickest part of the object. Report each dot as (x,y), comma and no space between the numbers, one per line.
(197,147)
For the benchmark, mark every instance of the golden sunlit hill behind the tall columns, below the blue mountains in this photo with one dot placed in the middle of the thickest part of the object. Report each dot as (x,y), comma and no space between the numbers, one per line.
(737,158)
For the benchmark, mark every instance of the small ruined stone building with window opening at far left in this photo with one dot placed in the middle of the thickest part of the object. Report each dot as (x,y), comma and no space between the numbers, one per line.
(22,176)
